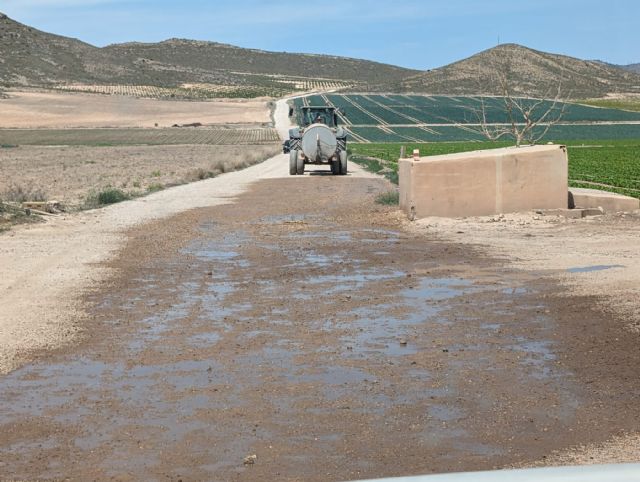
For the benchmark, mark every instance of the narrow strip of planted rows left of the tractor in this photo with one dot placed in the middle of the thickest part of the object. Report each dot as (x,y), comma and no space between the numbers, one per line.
(124,137)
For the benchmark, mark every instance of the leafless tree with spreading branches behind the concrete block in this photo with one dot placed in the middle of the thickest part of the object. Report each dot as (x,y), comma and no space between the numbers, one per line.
(528,118)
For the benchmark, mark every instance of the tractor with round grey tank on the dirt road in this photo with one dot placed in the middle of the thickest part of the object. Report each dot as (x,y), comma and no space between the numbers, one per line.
(319,140)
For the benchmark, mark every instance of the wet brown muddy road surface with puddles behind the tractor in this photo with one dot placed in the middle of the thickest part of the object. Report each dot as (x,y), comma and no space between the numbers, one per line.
(301,324)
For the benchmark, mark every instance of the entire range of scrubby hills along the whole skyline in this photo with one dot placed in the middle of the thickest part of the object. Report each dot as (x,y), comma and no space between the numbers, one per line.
(29,57)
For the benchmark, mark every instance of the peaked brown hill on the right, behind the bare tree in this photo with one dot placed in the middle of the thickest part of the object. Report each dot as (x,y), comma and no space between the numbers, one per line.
(530,72)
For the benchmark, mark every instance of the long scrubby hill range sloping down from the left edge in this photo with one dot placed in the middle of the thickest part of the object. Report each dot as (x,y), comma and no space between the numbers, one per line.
(29,57)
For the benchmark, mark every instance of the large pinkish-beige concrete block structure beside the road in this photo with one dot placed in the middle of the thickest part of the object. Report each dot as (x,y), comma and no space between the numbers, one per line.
(485,182)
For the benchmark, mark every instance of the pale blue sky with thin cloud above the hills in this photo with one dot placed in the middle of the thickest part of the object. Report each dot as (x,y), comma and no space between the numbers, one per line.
(410,33)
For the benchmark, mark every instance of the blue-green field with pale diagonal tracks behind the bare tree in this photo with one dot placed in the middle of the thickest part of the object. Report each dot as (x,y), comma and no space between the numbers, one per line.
(419,118)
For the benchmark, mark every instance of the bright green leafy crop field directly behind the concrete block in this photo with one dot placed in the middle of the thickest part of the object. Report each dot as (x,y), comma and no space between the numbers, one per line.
(609,165)
